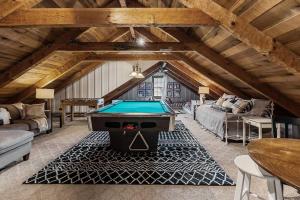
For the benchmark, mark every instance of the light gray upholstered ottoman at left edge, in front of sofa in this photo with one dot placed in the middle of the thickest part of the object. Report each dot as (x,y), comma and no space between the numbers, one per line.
(14,144)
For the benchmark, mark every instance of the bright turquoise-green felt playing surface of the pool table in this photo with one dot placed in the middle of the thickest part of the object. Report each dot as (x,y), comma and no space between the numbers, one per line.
(135,107)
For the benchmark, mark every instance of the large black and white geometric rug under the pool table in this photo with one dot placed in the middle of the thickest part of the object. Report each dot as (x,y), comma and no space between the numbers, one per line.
(179,160)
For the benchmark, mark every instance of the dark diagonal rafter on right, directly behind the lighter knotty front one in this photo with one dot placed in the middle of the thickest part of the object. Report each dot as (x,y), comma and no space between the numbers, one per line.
(235,70)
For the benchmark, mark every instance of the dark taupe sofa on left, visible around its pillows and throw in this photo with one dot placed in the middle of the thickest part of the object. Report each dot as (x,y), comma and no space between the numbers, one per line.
(17,123)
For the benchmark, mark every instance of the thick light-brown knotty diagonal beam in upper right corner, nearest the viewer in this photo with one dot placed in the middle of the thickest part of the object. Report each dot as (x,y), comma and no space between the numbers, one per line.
(241,29)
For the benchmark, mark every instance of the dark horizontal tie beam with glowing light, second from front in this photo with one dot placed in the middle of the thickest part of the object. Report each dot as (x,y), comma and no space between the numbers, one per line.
(125,46)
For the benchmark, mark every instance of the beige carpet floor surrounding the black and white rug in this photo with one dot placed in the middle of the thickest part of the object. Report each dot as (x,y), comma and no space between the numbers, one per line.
(48,147)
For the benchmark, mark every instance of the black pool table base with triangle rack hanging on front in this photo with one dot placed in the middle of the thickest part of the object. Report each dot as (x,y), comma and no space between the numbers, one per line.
(132,133)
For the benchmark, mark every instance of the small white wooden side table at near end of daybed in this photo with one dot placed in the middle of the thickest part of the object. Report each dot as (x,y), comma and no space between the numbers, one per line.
(259,122)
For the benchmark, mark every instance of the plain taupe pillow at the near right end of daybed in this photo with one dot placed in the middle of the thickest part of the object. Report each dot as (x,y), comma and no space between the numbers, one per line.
(261,107)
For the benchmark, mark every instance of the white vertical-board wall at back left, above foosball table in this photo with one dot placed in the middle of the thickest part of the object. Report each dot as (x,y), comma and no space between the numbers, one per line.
(99,82)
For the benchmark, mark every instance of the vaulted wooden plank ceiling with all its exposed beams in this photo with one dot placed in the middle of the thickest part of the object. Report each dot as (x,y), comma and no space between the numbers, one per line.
(249,48)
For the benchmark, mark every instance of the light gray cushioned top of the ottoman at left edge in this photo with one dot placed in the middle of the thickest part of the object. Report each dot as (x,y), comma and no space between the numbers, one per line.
(13,139)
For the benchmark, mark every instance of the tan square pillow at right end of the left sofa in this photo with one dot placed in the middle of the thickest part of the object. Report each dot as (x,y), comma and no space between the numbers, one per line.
(34,111)
